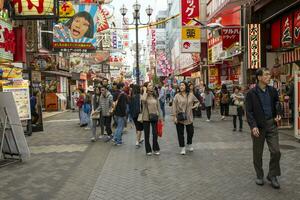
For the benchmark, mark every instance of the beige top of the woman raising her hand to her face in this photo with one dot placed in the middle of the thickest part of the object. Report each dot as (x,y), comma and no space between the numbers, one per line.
(150,105)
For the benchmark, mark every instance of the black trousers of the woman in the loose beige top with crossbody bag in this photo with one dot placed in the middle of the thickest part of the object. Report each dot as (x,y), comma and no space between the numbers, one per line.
(180,133)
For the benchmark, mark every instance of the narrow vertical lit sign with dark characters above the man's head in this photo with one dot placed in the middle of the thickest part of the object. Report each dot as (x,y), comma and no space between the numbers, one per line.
(254,46)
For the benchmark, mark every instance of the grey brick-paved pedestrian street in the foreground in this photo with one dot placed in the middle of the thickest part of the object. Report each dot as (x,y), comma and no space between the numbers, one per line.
(66,165)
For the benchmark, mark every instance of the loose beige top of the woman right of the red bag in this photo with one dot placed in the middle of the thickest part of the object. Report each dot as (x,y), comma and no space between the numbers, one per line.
(182,103)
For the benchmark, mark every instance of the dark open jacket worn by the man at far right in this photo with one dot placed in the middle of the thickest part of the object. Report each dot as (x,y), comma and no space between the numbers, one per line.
(254,110)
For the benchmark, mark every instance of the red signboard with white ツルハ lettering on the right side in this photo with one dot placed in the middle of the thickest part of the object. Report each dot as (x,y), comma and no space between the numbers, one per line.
(230,36)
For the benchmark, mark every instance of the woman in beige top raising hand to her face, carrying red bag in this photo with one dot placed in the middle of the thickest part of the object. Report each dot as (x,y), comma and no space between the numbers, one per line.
(150,116)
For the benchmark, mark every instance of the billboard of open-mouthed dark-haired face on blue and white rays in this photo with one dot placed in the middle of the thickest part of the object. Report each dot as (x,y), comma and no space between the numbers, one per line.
(77,32)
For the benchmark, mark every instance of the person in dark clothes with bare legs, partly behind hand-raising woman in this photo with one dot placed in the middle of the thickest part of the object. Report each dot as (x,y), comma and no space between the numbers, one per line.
(134,110)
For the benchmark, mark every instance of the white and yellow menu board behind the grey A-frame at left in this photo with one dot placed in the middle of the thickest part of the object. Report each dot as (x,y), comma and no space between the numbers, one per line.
(20,91)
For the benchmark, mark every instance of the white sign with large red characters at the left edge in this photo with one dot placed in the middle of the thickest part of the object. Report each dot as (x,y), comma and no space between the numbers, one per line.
(7,41)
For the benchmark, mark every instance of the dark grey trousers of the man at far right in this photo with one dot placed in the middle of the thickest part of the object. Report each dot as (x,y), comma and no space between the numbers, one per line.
(270,134)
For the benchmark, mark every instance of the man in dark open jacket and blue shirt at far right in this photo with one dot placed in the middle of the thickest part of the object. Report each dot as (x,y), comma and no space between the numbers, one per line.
(263,112)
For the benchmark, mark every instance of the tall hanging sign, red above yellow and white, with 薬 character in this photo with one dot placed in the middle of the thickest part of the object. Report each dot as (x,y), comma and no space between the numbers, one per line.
(190,33)
